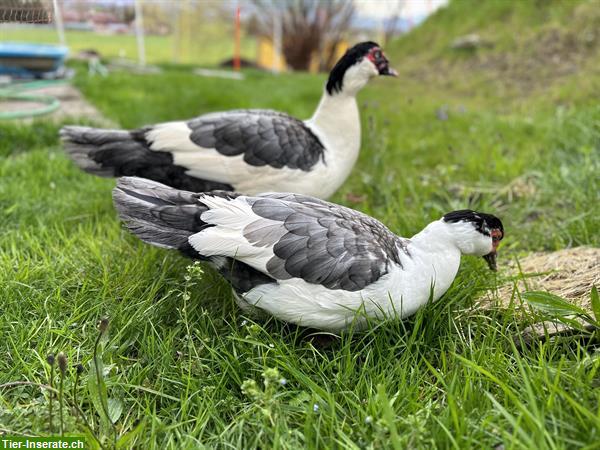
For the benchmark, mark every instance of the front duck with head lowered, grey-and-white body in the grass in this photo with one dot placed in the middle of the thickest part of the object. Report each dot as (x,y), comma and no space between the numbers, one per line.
(304,260)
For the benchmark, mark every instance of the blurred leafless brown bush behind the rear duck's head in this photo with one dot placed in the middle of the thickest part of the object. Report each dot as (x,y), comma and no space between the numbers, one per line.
(308,26)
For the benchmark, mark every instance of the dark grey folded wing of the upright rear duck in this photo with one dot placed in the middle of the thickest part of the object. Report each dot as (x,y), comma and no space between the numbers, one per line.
(264,137)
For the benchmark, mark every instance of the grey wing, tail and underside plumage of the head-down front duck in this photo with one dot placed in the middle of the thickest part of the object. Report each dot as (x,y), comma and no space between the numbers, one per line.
(317,241)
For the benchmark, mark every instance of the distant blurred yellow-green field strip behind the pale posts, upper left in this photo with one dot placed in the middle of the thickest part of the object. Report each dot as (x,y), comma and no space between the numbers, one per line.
(213,45)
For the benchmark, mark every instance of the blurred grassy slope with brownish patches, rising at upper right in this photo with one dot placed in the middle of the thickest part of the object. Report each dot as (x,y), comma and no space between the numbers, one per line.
(548,49)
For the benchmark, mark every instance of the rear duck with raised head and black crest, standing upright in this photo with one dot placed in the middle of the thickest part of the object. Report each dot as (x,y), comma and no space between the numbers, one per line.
(251,150)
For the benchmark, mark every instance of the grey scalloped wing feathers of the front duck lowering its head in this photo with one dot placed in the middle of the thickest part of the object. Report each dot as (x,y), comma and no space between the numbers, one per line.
(324,243)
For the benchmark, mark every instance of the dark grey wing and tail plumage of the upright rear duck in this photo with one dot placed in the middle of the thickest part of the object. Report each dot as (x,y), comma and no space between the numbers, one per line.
(265,138)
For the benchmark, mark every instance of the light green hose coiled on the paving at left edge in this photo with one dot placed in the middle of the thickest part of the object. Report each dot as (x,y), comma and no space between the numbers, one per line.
(15,92)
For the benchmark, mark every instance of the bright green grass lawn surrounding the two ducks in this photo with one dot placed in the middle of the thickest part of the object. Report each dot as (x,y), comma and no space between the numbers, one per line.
(183,368)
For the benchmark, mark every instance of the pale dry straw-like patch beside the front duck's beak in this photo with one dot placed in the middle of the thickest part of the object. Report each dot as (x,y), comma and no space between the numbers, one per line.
(569,273)
